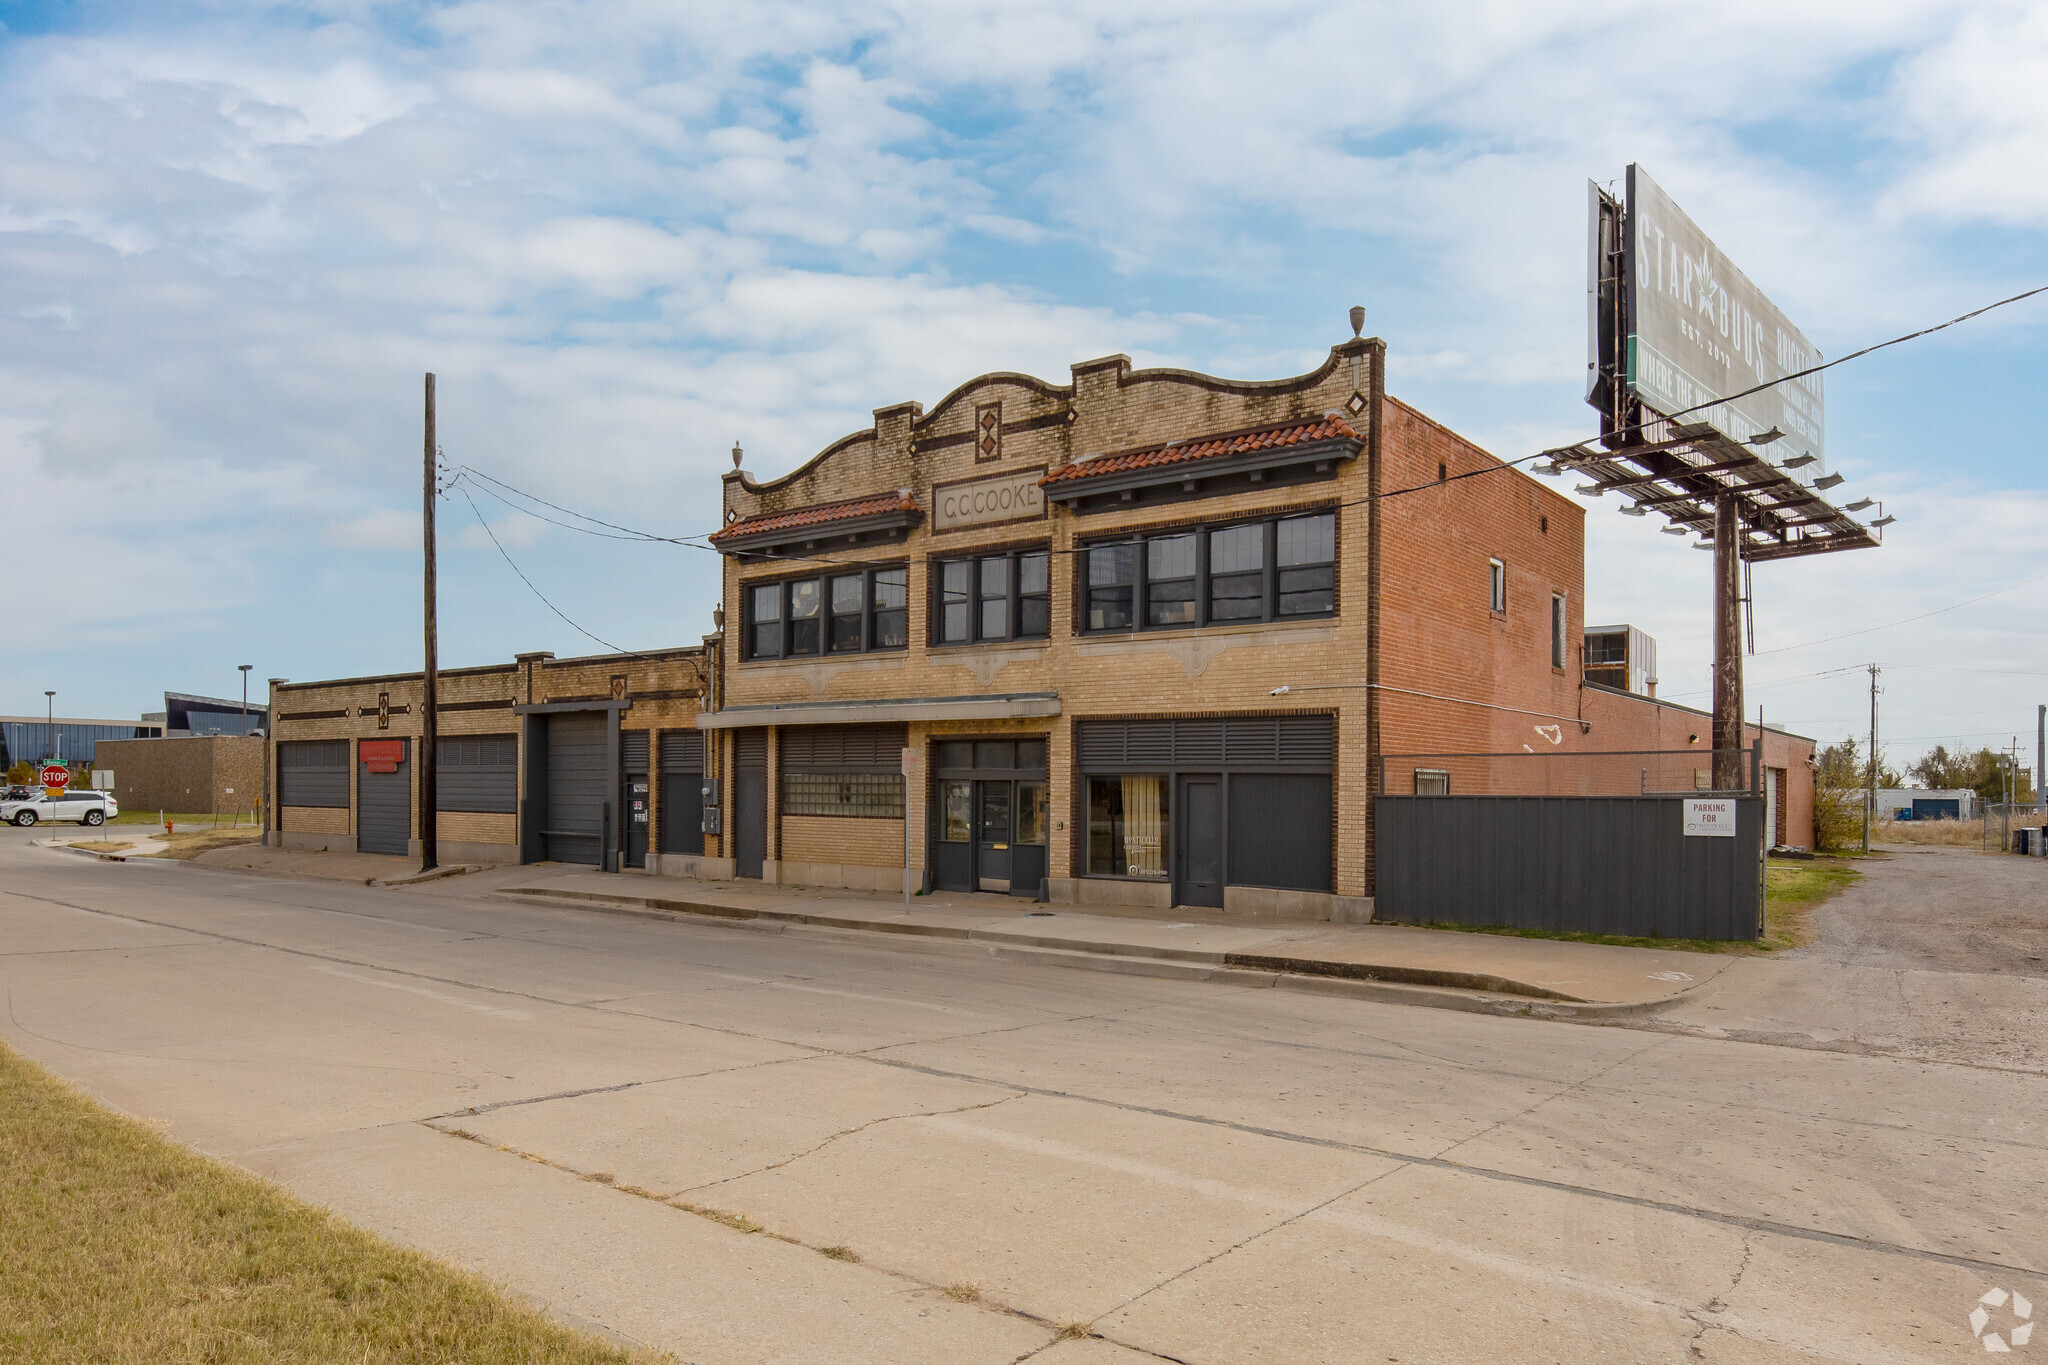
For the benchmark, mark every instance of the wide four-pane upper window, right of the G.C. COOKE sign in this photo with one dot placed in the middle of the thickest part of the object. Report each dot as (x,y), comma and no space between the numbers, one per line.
(1213,576)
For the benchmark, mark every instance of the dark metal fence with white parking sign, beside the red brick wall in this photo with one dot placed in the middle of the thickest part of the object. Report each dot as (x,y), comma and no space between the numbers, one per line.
(1572,842)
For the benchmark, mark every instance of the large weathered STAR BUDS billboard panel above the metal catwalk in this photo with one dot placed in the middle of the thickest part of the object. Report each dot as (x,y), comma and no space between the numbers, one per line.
(1697,331)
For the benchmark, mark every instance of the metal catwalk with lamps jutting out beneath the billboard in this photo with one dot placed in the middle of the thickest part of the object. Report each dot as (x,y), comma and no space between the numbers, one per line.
(1684,470)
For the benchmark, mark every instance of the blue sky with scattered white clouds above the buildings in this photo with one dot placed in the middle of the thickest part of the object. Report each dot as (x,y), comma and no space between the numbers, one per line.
(628,236)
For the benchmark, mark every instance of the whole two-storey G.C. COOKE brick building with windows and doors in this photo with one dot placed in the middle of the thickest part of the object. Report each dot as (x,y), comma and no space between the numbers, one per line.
(1150,637)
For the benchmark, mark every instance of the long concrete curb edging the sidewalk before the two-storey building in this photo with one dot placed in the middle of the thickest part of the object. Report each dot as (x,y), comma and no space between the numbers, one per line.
(1340,979)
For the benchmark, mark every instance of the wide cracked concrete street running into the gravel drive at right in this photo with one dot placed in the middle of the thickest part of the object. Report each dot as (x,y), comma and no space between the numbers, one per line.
(1816,1159)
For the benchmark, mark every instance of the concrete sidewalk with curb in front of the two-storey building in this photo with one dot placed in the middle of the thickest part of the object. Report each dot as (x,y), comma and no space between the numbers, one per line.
(1390,963)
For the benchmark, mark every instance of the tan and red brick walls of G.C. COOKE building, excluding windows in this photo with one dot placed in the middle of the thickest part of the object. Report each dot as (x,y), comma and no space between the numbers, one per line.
(1412,660)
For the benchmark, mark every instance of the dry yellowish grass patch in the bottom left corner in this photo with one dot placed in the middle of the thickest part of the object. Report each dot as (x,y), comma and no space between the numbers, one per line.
(118,1245)
